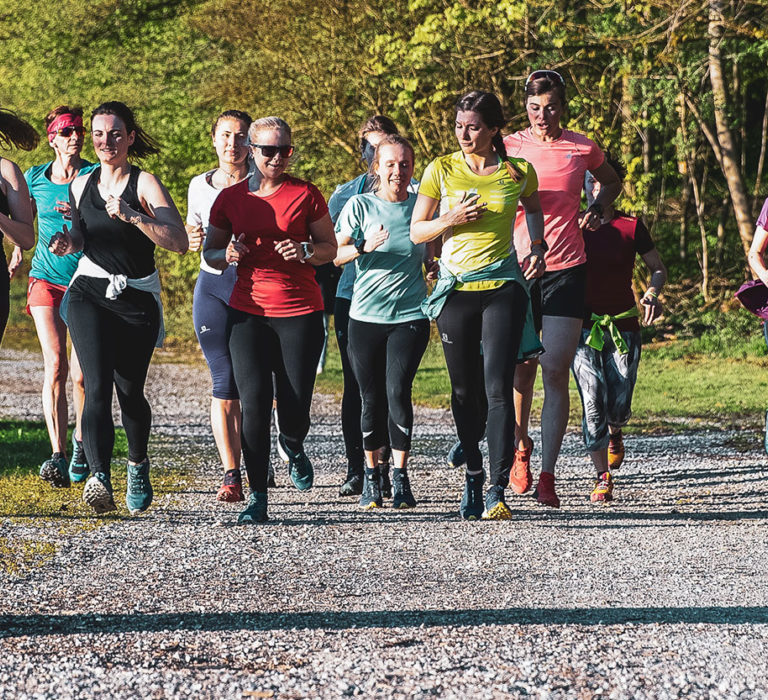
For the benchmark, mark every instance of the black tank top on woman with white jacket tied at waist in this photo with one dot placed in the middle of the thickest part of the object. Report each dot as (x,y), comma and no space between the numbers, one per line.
(117,246)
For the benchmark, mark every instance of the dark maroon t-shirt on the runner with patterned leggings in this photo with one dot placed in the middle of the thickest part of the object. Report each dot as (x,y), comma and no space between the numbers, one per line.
(611,252)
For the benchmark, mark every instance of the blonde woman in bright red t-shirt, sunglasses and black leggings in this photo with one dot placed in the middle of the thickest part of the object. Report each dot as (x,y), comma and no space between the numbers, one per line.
(274,227)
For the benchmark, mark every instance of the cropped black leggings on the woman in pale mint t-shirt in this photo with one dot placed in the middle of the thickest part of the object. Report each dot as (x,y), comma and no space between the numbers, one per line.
(385,358)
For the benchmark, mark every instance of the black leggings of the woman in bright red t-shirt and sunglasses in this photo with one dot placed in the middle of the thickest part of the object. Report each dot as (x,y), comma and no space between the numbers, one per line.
(290,348)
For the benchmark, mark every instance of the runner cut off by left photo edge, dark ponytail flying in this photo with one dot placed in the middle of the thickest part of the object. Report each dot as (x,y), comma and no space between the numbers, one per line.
(16,215)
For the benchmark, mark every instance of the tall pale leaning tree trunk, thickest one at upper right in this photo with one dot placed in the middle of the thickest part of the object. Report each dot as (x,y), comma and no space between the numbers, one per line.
(730,162)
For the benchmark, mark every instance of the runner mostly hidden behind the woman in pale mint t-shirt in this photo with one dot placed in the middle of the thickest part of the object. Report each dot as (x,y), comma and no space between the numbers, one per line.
(371,133)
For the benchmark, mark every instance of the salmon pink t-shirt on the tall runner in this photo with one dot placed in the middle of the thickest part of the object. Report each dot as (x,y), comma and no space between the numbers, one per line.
(560,166)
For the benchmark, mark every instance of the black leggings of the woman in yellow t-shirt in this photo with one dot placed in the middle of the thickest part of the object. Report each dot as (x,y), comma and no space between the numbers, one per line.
(494,318)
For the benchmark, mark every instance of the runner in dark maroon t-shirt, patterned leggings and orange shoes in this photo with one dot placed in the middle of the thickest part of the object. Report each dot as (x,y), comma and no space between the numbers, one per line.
(608,354)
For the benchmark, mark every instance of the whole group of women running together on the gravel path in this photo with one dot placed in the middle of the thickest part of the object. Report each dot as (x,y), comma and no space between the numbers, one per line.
(521,278)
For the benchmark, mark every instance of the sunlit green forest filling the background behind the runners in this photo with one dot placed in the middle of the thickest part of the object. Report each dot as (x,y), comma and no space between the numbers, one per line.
(677,89)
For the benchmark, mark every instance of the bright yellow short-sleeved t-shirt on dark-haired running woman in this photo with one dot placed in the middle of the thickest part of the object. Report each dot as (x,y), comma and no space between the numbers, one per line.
(477,243)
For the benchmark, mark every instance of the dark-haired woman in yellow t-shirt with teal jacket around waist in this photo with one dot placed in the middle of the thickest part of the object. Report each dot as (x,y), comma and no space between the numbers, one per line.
(482,294)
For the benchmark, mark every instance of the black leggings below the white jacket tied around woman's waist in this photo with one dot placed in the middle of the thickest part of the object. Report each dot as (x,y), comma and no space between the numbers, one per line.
(114,341)
